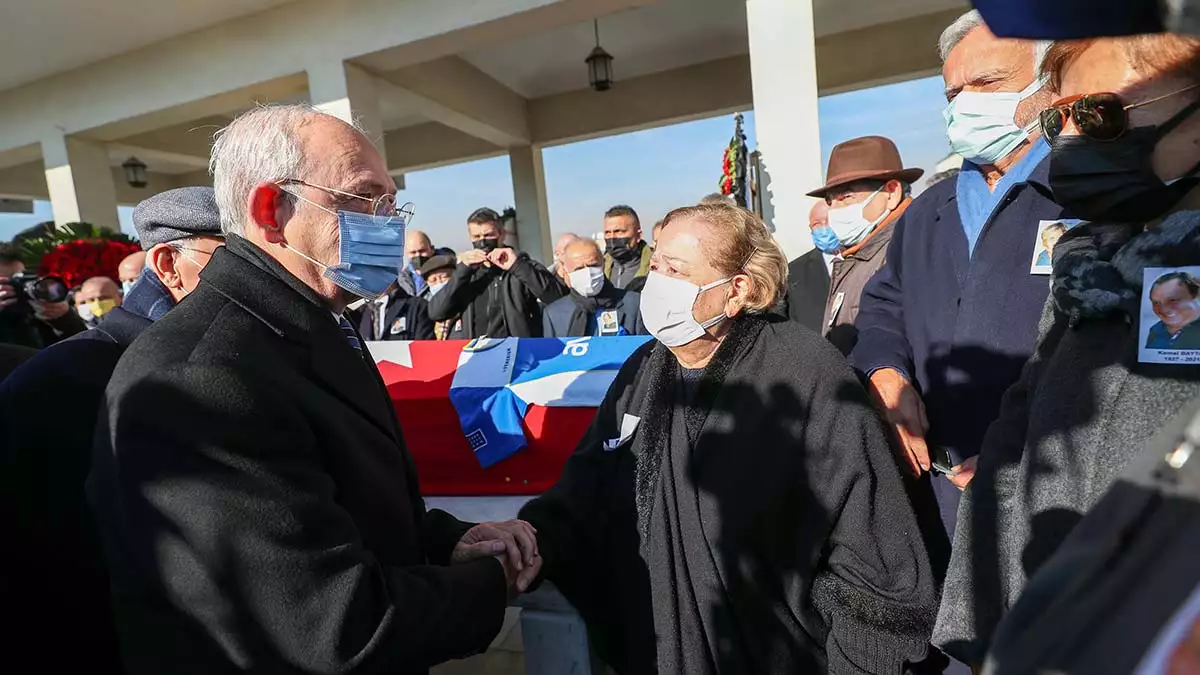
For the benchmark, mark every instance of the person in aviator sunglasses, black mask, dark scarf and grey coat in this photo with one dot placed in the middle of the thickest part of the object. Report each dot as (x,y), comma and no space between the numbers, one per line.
(1089,398)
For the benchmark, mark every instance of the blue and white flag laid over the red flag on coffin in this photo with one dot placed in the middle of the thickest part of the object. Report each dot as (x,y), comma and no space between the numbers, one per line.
(499,380)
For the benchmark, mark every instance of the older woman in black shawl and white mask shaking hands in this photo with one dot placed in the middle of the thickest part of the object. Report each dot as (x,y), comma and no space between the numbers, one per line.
(736,506)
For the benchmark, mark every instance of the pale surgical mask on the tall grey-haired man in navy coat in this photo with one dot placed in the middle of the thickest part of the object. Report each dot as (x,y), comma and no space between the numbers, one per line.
(981,126)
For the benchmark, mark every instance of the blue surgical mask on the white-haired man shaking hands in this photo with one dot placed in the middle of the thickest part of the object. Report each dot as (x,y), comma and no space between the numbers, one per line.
(373,249)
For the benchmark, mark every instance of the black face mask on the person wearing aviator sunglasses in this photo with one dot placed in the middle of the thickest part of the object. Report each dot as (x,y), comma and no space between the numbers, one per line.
(1113,181)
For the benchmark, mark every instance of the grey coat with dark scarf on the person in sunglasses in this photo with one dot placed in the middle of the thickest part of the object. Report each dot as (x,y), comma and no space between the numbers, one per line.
(1082,410)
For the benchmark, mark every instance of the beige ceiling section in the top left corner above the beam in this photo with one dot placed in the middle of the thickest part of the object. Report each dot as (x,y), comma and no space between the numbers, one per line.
(83,32)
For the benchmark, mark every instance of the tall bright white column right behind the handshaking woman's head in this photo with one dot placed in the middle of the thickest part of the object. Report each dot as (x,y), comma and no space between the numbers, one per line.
(783,69)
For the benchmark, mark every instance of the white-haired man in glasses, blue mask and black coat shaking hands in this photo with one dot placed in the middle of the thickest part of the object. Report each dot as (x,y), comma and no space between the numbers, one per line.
(254,494)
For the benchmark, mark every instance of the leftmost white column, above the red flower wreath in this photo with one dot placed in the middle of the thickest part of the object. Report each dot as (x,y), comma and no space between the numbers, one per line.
(80,182)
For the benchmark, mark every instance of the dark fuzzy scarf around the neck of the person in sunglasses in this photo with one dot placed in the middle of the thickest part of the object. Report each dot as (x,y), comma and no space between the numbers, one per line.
(1099,266)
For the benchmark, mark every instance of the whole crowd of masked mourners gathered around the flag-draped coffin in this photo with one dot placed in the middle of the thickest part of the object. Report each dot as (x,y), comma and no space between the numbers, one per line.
(952,438)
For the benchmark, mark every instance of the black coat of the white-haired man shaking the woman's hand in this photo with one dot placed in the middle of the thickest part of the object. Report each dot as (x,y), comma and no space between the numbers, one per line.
(256,501)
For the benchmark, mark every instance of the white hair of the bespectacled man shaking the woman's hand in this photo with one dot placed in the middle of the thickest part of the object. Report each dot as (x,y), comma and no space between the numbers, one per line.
(261,146)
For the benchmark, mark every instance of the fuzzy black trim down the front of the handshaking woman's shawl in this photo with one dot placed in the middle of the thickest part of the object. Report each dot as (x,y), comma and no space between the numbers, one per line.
(663,372)
